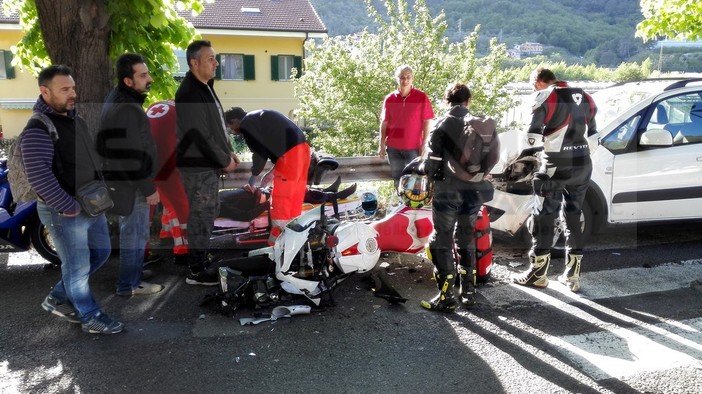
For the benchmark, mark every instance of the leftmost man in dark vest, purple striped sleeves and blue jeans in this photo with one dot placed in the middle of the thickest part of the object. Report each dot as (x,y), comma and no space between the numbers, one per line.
(82,241)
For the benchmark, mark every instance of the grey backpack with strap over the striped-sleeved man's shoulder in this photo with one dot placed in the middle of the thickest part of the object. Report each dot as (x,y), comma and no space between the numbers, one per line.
(17,176)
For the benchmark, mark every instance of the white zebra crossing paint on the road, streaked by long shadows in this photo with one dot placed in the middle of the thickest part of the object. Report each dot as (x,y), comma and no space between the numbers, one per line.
(616,351)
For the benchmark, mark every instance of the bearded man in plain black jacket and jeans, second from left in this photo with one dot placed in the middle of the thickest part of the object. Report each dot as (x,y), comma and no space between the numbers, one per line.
(130,163)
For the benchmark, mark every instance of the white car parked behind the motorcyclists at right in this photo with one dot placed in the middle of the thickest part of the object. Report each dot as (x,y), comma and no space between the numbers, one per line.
(647,160)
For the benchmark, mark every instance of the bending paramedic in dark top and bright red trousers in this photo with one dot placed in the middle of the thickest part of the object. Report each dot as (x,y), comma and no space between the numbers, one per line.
(271,135)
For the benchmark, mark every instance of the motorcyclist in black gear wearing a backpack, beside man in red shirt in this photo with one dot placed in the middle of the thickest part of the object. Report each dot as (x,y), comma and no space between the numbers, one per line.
(457,199)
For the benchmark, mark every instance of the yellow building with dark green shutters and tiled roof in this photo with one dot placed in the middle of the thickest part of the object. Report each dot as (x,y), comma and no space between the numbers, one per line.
(259,43)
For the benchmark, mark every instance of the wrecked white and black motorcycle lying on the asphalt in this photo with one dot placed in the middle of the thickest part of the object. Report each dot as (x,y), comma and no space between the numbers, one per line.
(313,254)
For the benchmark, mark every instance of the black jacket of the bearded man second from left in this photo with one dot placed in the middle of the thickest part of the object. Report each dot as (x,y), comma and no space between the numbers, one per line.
(127,148)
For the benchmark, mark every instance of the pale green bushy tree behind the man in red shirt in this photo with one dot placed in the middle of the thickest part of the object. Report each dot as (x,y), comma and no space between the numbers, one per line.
(346,78)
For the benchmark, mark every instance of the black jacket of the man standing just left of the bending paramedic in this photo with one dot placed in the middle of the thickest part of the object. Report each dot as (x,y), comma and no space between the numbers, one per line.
(202,140)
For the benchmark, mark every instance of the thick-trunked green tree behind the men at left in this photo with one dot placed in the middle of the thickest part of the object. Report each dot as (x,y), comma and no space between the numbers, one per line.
(88,35)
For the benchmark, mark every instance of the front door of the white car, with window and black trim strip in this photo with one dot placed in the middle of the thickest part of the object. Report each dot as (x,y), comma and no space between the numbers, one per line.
(660,182)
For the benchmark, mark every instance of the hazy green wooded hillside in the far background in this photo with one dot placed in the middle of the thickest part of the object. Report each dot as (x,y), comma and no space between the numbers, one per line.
(600,31)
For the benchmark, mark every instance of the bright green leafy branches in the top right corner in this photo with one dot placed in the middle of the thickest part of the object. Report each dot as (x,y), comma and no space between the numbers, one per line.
(677,19)
